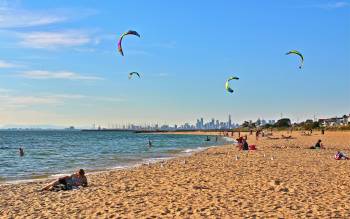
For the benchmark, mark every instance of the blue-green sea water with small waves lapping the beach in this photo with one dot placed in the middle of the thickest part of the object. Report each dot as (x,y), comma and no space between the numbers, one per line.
(50,153)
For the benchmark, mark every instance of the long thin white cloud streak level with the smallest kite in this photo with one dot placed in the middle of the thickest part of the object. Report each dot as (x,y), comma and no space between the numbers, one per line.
(57,75)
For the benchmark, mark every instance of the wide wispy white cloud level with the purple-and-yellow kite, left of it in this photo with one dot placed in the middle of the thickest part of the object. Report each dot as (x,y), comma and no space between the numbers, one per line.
(51,40)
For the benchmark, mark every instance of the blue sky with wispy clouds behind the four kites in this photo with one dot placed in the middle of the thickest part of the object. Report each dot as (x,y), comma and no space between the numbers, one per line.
(59,64)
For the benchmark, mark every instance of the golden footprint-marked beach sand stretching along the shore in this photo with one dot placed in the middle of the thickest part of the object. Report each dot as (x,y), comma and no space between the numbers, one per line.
(220,182)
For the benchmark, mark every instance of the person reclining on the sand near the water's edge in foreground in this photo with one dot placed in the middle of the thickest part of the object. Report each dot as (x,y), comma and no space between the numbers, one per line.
(76,179)
